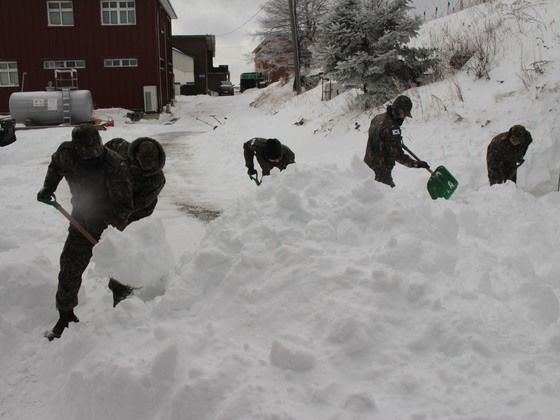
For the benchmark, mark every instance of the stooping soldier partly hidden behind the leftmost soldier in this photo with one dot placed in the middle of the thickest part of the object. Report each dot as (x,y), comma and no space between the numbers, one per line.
(146,159)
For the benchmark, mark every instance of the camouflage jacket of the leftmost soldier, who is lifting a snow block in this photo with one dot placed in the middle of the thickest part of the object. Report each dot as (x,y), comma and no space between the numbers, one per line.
(101,188)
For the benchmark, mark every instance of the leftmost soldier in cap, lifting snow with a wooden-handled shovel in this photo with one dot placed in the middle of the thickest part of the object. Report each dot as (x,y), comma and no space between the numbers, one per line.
(101,195)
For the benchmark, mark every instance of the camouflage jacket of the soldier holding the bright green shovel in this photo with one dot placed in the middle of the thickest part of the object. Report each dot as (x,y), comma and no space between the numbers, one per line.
(384,146)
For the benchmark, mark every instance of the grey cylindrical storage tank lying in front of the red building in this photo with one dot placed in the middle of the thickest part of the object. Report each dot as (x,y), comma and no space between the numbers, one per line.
(46,107)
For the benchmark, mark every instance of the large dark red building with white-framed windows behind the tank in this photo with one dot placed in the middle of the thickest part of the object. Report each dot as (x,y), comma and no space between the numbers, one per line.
(121,49)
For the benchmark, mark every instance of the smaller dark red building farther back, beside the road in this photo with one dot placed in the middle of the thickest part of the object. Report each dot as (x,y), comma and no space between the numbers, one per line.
(202,48)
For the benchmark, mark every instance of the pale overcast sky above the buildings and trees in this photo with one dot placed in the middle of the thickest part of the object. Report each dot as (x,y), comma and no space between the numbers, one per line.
(234,21)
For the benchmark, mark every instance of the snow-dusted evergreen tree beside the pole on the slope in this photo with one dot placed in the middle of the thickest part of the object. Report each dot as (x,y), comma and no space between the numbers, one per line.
(365,45)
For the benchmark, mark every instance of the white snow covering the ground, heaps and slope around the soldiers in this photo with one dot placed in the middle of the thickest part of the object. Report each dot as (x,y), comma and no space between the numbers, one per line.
(320,294)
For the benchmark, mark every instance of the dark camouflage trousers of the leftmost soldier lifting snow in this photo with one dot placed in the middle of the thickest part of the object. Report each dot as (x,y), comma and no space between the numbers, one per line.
(74,259)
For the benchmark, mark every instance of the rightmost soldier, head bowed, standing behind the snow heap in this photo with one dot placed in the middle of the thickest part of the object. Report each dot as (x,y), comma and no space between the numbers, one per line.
(506,153)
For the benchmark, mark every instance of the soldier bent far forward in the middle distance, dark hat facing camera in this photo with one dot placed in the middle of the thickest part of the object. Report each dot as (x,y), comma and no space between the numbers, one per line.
(270,153)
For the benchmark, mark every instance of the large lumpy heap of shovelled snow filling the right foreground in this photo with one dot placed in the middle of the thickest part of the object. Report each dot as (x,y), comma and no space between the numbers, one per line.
(364,303)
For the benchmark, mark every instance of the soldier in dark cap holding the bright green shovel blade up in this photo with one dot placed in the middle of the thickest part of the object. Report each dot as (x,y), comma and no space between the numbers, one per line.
(384,146)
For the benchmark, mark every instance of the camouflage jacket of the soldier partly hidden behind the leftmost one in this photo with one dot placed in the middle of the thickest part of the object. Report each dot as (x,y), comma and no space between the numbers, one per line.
(146,186)
